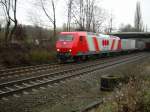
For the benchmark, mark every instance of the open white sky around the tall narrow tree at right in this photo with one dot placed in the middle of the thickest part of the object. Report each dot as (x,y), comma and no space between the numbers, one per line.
(123,10)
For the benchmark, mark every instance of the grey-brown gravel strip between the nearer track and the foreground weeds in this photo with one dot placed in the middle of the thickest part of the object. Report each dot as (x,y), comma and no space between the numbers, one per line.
(70,96)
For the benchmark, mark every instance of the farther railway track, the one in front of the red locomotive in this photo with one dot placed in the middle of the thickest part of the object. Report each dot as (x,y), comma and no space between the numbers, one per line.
(30,71)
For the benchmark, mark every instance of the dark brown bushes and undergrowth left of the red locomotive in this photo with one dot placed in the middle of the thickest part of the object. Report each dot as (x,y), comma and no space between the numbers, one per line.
(31,45)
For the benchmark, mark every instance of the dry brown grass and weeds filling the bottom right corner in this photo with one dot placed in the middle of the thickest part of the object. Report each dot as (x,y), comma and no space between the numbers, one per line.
(133,96)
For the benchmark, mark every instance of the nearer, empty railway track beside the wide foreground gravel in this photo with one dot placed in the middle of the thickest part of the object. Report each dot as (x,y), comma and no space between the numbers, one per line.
(19,86)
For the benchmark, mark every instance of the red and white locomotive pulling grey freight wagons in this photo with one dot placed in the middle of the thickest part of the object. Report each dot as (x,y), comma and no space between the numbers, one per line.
(81,45)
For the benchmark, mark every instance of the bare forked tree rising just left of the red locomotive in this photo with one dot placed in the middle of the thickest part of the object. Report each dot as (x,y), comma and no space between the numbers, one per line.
(52,19)
